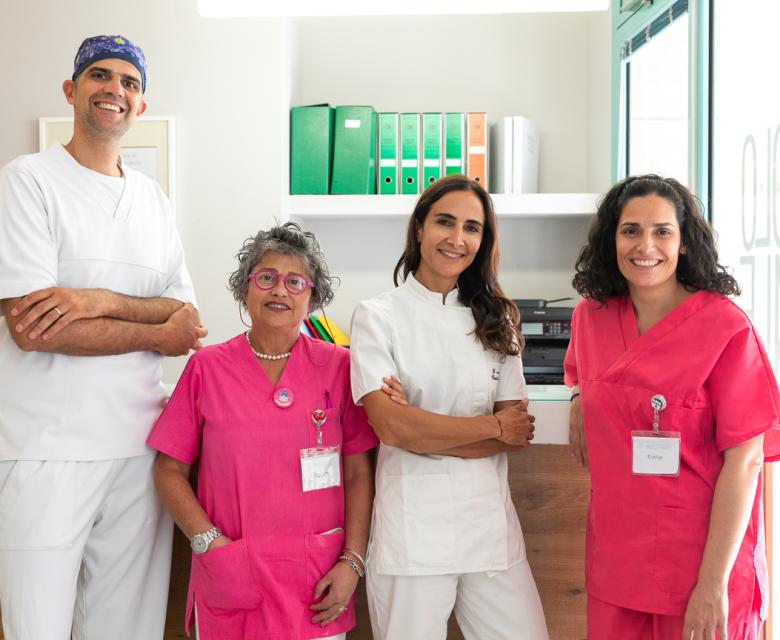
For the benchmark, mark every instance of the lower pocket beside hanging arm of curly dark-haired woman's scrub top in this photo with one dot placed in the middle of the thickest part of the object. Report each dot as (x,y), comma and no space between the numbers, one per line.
(679,546)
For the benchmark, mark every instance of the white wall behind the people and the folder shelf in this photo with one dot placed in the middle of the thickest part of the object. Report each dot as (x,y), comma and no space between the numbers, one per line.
(230,82)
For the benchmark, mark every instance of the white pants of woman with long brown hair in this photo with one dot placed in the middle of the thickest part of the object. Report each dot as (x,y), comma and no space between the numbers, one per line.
(494,605)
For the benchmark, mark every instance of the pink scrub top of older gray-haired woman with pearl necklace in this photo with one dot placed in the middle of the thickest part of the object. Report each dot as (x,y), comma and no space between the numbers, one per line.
(222,414)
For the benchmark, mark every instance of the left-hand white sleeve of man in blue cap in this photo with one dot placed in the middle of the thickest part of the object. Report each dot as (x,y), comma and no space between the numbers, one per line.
(28,254)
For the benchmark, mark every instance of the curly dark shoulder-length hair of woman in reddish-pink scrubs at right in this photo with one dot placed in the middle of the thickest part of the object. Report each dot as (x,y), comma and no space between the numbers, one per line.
(597,274)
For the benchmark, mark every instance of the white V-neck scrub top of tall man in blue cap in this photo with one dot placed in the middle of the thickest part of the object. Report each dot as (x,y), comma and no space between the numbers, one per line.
(62,224)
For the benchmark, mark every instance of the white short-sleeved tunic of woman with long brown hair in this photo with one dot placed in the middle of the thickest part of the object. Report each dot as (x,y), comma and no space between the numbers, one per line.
(436,514)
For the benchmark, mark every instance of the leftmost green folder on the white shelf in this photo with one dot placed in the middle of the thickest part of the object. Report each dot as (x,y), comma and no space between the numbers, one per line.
(311,145)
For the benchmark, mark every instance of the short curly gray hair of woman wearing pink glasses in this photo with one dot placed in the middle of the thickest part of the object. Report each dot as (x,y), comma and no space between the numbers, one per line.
(290,240)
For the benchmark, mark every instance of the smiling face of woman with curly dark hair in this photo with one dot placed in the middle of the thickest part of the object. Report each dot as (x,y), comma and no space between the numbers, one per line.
(648,245)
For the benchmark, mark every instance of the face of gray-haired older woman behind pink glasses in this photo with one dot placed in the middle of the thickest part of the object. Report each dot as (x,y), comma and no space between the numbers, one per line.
(277,309)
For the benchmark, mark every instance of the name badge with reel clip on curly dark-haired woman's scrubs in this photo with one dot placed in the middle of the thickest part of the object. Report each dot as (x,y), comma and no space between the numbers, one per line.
(656,452)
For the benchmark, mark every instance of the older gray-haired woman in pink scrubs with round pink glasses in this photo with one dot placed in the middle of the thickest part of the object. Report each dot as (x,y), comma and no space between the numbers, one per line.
(280,521)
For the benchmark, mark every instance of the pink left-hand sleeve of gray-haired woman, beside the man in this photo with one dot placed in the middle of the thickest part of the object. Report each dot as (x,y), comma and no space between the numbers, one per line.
(177,432)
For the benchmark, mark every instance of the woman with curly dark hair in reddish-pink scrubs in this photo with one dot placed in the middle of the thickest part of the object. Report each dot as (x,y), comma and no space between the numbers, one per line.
(680,410)
